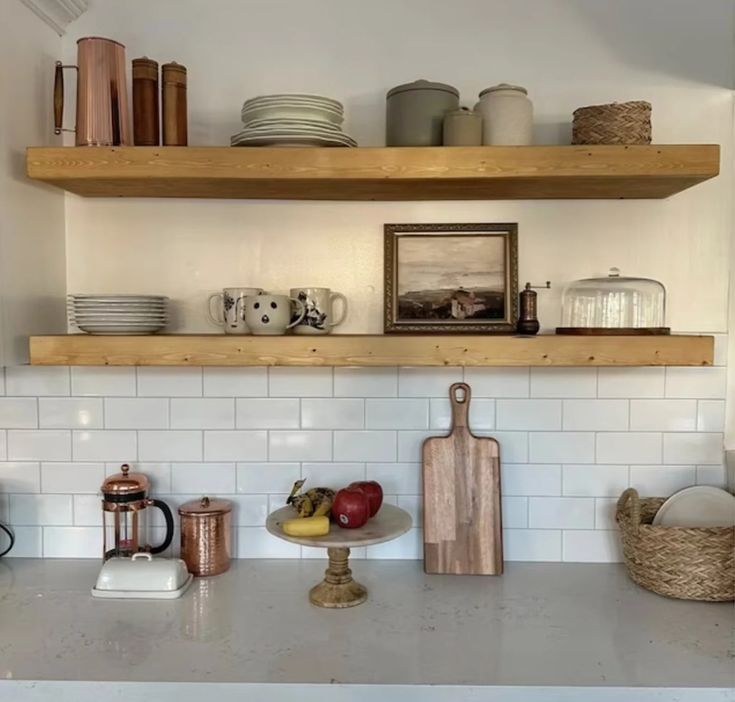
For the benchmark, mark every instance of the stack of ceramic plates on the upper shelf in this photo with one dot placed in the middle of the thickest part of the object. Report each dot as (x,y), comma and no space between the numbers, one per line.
(292,120)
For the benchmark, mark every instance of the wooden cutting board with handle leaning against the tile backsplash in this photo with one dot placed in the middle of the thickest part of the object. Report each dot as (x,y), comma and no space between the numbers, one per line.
(462,528)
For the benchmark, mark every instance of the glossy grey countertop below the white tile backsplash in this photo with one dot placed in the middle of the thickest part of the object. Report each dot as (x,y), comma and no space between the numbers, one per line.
(550,627)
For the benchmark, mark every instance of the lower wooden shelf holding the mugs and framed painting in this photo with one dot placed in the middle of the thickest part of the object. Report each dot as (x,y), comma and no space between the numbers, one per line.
(366,350)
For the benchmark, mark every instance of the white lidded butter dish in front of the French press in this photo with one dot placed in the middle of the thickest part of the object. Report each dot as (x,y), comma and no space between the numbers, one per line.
(142,577)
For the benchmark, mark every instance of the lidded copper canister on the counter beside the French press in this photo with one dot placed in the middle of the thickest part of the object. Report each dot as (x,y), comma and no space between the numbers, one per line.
(206,535)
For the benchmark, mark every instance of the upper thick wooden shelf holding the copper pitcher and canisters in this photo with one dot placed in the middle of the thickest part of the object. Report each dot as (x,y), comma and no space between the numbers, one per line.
(422,173)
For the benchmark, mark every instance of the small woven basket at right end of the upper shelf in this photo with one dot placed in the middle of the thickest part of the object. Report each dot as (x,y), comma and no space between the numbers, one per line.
(616,123)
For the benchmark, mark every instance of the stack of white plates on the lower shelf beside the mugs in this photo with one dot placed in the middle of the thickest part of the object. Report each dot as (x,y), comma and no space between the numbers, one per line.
(118,314)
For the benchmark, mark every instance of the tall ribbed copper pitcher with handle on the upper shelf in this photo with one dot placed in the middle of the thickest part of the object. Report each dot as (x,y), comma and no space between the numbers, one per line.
(103,117)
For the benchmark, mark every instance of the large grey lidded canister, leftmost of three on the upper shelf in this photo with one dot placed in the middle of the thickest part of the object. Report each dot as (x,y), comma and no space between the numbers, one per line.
(415,113)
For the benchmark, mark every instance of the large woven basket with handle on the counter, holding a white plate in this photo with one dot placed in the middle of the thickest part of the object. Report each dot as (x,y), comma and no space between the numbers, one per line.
(690,563)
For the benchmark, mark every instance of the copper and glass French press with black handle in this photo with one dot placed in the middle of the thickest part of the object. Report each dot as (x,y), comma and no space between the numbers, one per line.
(124,508)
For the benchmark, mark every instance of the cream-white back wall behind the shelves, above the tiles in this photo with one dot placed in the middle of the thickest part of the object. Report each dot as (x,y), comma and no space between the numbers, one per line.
(675,53)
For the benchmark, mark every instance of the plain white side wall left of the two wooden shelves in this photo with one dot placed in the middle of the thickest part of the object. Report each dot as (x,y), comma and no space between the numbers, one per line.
(32,264)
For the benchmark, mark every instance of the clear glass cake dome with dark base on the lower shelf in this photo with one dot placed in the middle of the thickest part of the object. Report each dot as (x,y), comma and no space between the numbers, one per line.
(614,305)
